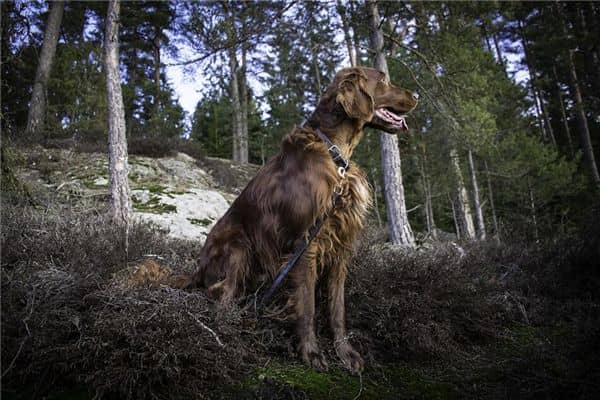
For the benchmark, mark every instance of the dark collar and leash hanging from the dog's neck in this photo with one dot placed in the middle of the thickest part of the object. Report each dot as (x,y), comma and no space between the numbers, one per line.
(343,165)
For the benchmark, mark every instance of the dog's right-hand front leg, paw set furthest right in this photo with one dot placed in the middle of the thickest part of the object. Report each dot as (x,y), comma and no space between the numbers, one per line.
(350,357)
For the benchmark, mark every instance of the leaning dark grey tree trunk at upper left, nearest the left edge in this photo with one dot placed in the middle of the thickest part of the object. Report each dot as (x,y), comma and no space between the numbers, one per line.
(37,107)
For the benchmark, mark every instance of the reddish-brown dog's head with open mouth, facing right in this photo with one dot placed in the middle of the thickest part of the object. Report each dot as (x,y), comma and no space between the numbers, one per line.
(366,95)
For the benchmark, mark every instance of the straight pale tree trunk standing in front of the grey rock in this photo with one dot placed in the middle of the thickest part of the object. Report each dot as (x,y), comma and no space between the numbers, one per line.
(117,142)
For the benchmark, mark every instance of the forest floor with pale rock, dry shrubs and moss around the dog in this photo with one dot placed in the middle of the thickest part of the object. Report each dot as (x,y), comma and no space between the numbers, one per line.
(84,314)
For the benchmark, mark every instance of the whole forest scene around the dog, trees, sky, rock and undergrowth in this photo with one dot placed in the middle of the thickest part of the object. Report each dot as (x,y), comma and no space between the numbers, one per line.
(477,275)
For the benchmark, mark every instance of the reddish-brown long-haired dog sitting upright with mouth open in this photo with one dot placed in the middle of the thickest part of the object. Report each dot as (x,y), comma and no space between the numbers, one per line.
(295,187)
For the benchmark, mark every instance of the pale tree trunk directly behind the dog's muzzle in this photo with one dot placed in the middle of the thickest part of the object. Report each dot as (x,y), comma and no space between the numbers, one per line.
(400,230)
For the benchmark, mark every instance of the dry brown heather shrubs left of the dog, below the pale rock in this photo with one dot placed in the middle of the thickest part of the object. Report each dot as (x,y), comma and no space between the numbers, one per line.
(65,322)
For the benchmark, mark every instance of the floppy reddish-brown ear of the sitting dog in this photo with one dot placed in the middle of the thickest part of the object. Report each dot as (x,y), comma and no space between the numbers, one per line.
(353,96)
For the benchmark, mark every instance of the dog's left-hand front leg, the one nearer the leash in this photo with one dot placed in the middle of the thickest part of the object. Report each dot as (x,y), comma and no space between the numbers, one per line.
(305,277)
